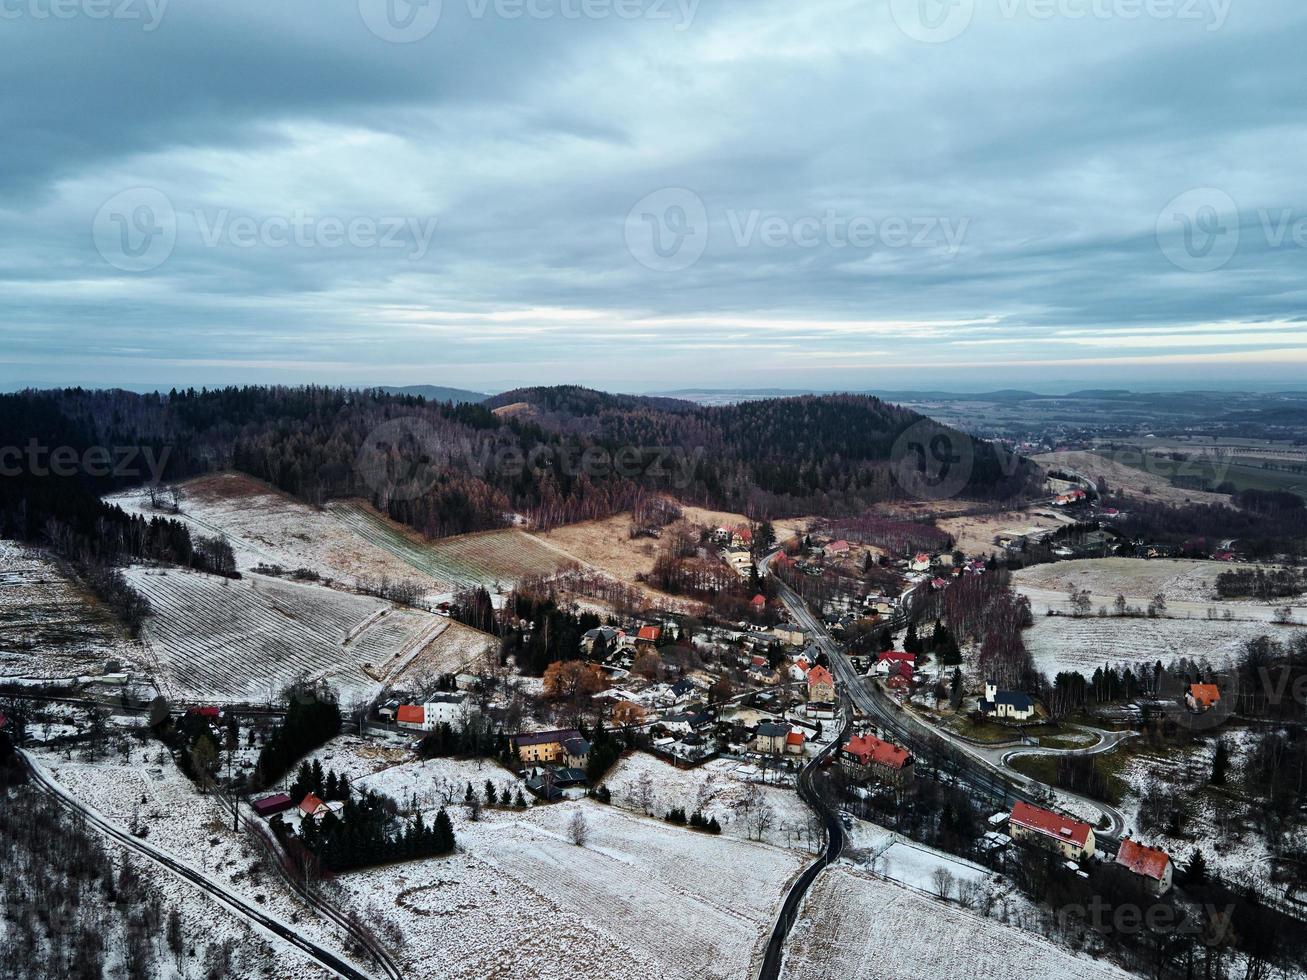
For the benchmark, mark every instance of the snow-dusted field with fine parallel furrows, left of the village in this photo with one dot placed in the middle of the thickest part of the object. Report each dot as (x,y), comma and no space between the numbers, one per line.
(228,641)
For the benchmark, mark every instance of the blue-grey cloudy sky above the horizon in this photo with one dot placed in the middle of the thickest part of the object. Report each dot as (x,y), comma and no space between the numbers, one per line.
(654,194)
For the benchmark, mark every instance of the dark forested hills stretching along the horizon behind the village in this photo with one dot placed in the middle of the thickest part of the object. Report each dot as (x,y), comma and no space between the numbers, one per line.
(450,468)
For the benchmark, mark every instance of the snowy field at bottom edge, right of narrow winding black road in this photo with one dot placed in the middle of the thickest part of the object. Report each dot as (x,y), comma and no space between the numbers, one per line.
(862,928)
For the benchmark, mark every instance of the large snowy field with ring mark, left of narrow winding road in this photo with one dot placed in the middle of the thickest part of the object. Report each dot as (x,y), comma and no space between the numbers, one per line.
(641,900)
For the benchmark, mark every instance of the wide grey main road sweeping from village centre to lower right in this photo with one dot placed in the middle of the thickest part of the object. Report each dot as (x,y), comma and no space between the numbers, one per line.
(989,779)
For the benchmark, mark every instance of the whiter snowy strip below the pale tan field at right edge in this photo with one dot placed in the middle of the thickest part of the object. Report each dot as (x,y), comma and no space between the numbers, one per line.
(1066,644)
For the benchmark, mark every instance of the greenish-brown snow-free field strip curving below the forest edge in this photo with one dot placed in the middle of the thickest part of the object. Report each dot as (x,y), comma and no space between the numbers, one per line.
(489,559)
